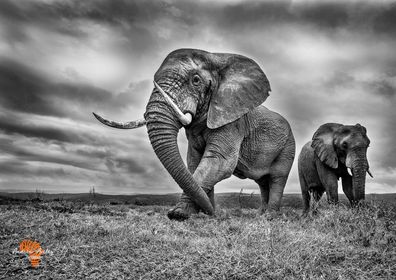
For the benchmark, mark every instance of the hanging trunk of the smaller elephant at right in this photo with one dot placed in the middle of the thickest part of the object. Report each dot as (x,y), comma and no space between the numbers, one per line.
(359,169)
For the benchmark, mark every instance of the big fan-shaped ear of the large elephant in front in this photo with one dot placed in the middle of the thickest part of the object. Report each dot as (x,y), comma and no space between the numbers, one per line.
(242,87)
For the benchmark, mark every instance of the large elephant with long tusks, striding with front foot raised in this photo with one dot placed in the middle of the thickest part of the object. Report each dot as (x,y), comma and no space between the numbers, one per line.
(217,97)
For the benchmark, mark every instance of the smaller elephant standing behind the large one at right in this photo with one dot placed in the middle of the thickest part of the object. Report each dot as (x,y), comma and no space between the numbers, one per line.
(335,151)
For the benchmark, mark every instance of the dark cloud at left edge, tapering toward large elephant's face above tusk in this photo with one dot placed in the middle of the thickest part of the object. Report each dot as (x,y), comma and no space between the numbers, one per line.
(25,90)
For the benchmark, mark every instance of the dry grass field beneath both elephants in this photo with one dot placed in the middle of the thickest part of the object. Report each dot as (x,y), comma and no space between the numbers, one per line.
(119,240)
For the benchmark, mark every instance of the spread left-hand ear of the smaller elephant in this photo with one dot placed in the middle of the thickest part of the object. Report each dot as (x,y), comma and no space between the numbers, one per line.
(322,143)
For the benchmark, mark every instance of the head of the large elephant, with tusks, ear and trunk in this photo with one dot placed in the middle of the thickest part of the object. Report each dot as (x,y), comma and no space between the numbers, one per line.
(195,87)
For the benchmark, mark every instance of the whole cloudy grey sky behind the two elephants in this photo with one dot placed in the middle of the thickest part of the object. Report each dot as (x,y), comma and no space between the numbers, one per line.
(61,60)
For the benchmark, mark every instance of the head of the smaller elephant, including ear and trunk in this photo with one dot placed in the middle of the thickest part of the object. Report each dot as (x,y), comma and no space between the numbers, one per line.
(344,146)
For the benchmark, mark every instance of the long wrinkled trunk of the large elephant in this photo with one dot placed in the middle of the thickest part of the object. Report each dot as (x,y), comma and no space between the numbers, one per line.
(163,127)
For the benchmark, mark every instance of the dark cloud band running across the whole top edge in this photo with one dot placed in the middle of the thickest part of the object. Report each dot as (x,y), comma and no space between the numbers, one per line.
(134,18)
